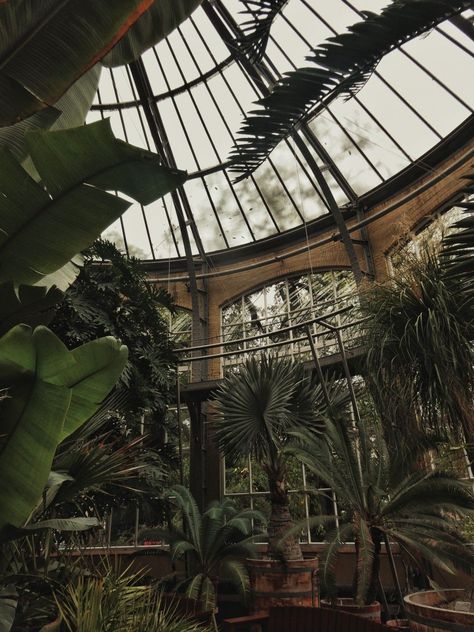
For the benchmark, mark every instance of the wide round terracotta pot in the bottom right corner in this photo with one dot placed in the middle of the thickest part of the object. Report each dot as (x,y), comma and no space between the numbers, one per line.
(425,615)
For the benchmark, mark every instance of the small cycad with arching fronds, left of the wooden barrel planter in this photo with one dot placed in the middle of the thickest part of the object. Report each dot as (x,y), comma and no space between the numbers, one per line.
(214,543)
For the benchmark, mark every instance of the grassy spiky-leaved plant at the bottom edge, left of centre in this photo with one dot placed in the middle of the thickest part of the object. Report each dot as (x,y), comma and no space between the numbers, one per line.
(113,601)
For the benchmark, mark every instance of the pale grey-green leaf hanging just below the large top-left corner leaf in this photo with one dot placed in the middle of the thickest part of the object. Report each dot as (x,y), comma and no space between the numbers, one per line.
(69,111)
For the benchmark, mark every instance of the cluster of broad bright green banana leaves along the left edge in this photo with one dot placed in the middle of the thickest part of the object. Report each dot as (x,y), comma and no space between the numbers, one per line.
(51,391)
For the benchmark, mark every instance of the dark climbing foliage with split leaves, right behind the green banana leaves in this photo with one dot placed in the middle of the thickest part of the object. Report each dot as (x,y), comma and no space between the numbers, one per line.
(112,296)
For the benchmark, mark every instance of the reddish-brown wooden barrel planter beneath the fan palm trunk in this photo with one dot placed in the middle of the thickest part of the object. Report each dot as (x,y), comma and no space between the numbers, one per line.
(274,583)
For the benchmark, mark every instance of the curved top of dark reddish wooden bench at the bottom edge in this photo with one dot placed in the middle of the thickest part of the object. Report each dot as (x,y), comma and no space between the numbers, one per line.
(298,619)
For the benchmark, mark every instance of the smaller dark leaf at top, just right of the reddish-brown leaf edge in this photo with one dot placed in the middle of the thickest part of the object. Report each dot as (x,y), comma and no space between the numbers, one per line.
(161,18)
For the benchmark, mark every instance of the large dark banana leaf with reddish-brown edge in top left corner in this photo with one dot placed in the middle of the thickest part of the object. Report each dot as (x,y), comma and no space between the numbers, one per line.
(45,46)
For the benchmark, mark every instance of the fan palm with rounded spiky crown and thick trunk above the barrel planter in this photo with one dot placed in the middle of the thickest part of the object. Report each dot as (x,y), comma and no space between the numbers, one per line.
(256,411)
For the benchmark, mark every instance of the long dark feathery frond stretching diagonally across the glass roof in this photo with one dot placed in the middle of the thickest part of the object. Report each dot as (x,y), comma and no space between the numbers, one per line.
(338,66)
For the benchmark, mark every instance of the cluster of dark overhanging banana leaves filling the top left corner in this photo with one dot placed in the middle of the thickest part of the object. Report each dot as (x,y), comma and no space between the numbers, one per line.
(68,42)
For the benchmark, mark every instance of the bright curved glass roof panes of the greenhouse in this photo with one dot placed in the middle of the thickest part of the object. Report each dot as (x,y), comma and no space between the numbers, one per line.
(195,88)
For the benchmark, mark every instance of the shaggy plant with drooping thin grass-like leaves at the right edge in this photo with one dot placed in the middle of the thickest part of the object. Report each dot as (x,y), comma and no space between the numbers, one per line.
(420,338)
